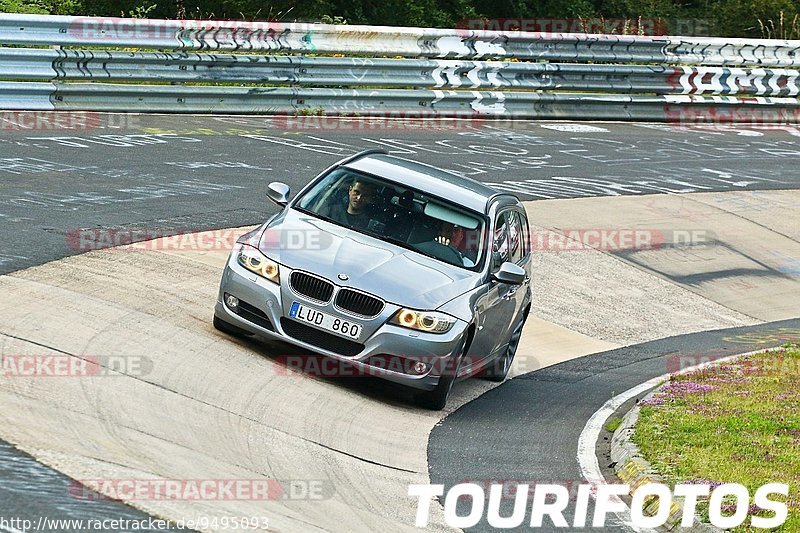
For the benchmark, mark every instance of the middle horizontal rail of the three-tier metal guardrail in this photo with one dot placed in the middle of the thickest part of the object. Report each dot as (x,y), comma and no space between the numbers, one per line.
(171,67)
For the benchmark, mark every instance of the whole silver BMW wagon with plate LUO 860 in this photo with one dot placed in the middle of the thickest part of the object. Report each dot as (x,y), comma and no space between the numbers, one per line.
(393,267)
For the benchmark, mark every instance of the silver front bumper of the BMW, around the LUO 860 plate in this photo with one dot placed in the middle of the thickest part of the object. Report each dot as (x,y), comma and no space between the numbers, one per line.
(266,311)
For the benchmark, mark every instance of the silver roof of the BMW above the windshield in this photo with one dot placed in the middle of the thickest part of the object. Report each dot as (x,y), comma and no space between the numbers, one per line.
(463,191)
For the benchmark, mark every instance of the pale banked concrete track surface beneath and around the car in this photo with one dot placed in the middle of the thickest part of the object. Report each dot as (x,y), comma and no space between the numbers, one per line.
(210,406)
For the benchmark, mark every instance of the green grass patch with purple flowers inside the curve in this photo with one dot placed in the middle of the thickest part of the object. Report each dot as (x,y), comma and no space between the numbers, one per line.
(738,422)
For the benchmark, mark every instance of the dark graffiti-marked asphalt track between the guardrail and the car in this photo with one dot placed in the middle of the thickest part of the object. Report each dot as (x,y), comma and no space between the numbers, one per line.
(193,173)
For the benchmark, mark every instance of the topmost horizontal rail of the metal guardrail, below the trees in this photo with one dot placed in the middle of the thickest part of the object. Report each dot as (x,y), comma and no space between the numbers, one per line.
(390,41)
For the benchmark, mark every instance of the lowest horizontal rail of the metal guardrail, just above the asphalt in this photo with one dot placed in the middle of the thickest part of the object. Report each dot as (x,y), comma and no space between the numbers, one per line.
(388,102)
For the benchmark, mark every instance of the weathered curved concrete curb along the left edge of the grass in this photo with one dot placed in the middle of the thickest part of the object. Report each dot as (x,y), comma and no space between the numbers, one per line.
(633,469)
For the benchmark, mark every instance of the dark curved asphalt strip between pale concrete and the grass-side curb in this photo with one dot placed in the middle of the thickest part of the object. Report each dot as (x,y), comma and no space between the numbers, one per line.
(529,426)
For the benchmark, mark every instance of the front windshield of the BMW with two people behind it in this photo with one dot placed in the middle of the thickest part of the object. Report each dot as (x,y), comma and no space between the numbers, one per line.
(399,215)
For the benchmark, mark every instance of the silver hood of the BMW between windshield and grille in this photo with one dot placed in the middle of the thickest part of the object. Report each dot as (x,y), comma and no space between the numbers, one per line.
(396,274)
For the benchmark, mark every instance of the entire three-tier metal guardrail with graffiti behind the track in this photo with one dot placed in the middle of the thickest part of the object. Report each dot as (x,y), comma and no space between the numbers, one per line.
(464,82)
